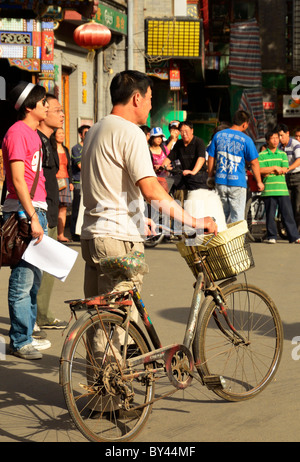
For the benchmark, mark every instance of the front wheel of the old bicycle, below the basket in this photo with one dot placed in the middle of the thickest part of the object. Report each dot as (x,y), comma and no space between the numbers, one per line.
(247,369)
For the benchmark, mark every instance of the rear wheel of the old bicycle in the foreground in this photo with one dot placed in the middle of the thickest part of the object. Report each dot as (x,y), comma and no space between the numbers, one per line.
(90,389)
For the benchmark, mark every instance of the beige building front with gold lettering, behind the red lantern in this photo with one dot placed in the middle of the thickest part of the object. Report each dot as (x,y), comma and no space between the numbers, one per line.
(83,76)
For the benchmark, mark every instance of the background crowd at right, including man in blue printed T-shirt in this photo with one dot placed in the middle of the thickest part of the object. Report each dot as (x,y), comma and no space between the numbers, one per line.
(221,167)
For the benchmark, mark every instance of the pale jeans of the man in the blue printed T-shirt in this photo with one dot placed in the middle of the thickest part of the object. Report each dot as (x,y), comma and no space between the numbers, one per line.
(233,200)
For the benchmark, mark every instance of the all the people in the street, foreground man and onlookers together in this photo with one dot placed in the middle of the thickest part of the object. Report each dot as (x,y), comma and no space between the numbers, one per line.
(114,166)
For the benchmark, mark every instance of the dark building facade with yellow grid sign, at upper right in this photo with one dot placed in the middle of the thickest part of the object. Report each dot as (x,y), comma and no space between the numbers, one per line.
(248,58)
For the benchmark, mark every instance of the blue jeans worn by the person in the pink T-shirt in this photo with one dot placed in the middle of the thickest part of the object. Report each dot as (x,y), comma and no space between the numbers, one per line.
(24,283)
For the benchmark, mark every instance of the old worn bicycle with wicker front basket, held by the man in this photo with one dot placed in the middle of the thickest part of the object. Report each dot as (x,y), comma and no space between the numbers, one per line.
(232,344)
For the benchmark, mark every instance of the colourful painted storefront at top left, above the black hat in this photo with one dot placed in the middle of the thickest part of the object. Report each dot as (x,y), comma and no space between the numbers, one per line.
(27,46)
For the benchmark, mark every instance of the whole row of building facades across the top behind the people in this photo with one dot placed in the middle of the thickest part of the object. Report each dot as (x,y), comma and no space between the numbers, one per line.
(189,47)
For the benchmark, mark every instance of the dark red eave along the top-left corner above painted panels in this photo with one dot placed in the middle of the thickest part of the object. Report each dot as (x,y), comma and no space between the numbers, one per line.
(35,8)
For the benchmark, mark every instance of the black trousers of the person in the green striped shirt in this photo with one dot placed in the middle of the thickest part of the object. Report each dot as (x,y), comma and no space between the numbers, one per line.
(287,215)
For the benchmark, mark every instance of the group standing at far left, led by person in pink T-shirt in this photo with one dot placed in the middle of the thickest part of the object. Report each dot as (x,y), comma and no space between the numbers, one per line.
(39,128)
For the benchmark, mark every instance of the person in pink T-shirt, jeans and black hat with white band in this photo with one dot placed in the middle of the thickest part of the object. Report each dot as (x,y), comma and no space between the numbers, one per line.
(21,150)
